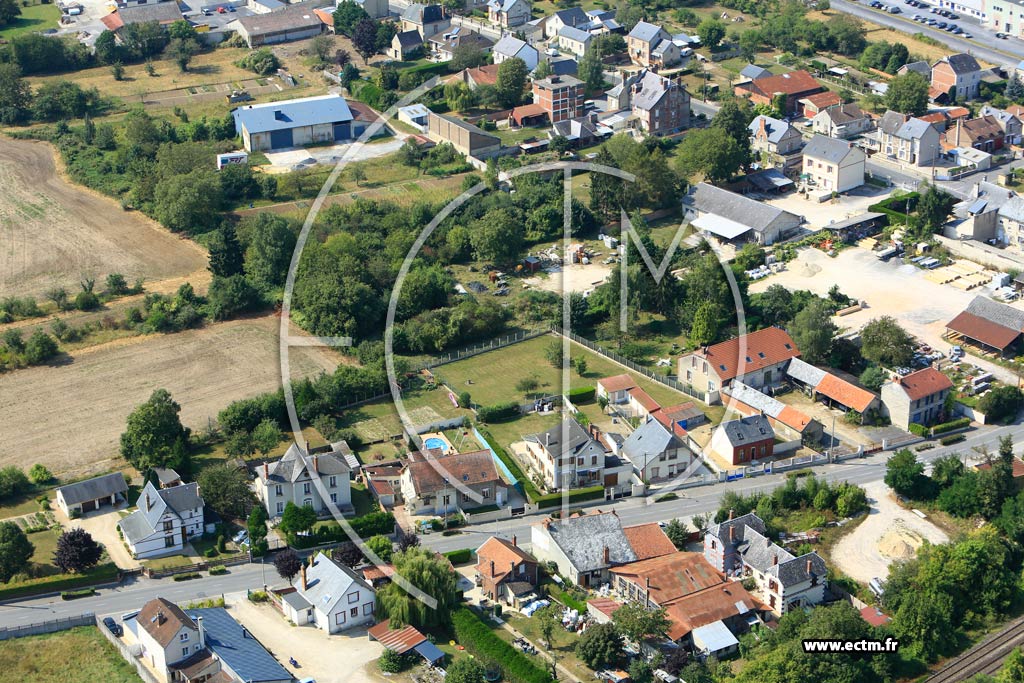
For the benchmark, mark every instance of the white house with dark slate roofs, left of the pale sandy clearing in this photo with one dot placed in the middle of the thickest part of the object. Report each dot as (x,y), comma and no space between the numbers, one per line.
(741,548)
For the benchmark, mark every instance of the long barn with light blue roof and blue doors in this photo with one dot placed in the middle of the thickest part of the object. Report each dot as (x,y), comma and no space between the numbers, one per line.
(293,123)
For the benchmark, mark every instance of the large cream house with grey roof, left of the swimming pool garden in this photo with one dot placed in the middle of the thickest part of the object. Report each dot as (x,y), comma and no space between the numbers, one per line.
(311,477)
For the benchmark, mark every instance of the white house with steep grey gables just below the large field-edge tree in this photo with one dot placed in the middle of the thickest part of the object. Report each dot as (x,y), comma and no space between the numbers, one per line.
(165,521)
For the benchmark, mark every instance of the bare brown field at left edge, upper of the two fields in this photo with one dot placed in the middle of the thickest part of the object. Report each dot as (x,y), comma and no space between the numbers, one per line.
(53,232)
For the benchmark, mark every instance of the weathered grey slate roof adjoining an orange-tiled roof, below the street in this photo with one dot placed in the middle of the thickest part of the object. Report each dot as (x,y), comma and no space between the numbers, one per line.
(584,539)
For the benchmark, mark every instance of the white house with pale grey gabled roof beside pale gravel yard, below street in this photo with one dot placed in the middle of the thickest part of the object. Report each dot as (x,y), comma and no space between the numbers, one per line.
(330,596)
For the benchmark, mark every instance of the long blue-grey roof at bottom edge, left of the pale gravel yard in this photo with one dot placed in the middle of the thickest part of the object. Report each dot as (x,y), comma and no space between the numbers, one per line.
(238,649)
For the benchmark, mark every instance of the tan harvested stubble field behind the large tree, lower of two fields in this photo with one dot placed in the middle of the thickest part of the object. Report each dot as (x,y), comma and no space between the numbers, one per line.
(70,417)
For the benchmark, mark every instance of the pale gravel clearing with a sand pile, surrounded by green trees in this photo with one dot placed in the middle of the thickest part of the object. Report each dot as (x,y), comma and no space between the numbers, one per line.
(890,533)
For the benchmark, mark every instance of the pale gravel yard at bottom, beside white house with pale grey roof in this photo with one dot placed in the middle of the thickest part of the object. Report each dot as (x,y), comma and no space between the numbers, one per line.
(346,658)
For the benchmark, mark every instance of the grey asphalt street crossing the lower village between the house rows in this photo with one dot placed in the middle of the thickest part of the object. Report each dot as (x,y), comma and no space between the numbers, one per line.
(701,500)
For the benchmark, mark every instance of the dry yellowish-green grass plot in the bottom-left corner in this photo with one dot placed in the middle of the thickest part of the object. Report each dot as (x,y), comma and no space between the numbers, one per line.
(79,656)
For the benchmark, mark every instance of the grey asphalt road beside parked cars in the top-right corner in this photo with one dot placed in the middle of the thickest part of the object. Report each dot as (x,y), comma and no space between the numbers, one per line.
(984,46)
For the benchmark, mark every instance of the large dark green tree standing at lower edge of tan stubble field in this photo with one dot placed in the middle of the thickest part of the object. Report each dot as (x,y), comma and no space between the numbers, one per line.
(154,436)
